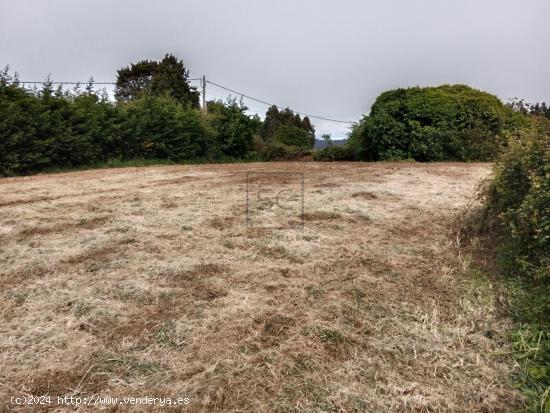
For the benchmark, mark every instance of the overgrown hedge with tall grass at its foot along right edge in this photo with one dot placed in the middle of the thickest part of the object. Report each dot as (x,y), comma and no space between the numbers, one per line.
(517,219)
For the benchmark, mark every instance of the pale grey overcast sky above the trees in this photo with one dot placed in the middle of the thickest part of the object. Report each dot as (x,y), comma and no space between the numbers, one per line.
(328,58)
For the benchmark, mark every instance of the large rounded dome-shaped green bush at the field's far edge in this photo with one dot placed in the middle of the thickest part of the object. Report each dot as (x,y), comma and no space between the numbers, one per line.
(449,122)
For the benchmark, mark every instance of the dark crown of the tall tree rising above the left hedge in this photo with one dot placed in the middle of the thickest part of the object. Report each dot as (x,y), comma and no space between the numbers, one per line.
(166,77)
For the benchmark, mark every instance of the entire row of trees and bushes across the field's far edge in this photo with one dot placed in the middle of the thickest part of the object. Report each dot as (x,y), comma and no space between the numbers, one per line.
(156,116)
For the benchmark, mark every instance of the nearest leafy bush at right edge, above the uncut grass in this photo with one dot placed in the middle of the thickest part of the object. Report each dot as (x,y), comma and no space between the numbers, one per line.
(518,202)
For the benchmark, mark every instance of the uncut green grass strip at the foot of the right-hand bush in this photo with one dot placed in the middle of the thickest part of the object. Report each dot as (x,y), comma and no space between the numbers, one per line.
(524,300)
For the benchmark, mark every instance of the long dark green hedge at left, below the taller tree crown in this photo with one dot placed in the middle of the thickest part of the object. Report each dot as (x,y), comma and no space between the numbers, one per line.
(56,129)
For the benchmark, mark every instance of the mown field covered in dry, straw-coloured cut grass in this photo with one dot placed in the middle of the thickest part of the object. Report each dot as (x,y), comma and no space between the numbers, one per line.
(151,282)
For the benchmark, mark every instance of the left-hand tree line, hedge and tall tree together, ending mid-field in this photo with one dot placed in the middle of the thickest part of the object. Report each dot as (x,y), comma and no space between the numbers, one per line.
(155,116)
